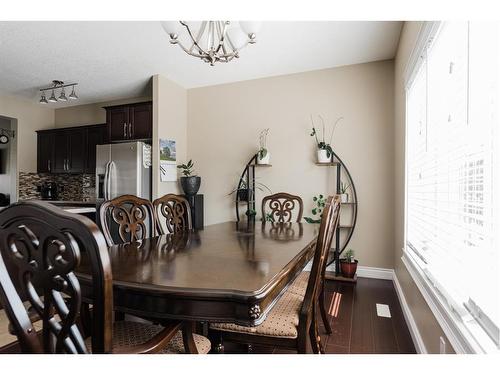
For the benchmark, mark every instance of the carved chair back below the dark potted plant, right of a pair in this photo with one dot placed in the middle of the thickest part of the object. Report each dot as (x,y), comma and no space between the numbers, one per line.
(173,214)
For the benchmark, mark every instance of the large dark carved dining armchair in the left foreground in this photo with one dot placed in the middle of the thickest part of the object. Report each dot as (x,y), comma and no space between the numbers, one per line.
(41,247)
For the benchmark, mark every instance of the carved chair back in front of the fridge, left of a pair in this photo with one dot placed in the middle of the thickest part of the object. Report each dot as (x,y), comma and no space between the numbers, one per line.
(127,219)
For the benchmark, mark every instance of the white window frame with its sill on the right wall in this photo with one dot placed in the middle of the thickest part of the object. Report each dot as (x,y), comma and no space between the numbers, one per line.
(464,334)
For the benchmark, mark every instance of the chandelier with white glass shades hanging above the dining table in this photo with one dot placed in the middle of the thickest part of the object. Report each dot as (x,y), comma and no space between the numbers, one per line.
(213,41)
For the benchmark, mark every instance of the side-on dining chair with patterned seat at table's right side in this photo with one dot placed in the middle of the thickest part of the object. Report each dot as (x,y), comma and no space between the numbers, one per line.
(293,318)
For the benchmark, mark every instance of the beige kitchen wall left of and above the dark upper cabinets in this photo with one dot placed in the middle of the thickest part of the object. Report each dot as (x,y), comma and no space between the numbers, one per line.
(30,116)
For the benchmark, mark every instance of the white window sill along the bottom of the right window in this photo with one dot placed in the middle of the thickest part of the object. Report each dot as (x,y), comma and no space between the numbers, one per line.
(457,330)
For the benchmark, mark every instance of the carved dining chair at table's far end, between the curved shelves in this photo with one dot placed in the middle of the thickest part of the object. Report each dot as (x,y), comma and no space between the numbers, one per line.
(281,207)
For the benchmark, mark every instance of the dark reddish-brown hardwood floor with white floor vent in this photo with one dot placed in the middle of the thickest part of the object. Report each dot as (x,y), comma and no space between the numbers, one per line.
(355,324)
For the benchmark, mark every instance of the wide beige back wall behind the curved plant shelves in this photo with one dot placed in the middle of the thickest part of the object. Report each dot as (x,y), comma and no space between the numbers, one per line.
(224,122)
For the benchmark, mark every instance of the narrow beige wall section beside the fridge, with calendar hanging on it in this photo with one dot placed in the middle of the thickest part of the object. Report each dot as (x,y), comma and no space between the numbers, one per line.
(169,122)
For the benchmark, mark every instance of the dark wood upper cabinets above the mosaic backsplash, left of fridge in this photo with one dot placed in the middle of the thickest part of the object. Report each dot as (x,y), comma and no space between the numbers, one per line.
(69,150)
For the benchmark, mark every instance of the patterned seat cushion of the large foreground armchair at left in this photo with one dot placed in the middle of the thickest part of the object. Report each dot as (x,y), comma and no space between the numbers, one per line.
(129,334)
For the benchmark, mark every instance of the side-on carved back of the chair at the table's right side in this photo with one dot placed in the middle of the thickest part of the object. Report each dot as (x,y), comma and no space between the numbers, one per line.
(329,223)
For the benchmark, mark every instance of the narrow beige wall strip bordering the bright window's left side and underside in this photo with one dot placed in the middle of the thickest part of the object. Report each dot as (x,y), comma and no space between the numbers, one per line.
(426,322)
